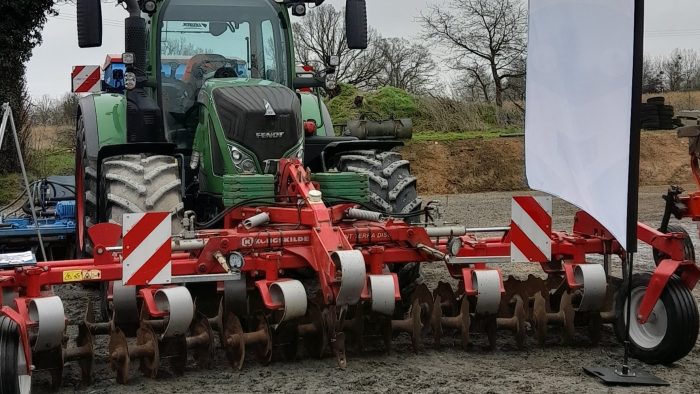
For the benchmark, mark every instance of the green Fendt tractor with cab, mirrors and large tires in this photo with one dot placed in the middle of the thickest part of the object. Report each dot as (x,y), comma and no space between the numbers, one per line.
(209,90)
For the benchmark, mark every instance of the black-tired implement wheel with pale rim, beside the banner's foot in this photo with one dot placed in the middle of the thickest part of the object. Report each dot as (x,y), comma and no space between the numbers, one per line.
(672,329)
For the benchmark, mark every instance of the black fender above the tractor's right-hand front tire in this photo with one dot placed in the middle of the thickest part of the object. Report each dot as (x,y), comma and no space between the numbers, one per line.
(320,152)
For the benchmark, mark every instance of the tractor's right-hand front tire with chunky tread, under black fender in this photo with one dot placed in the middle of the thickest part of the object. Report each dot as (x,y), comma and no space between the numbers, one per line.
(392,190)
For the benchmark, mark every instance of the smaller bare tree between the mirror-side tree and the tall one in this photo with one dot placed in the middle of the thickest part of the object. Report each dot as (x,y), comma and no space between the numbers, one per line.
(406,65)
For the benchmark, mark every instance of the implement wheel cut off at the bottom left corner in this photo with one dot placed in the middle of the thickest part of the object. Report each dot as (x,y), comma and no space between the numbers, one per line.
(13,365)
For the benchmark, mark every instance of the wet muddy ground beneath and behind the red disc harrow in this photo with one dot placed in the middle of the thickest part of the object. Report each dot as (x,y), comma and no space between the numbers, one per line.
(450,369)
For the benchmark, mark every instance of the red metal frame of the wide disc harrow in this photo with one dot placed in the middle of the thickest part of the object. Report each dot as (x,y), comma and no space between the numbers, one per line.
(303,233)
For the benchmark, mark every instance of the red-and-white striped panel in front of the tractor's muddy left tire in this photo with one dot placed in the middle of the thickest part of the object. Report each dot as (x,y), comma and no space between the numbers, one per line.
(146,249)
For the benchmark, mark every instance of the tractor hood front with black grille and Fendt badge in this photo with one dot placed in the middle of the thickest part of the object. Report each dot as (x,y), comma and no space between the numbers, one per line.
(260,116)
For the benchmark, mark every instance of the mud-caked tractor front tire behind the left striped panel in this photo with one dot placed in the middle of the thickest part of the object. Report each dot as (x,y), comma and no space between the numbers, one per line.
(139,183)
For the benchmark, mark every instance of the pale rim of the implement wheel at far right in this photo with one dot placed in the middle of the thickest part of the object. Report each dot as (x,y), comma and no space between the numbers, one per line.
(650,334)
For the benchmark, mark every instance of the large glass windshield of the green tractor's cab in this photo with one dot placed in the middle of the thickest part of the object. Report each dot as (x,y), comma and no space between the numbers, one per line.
(207,39)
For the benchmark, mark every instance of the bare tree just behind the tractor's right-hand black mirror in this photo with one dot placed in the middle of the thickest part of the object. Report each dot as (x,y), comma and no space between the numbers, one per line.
(321,33)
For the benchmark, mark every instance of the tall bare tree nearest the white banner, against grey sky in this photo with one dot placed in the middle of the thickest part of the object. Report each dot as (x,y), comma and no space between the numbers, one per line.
(487,32)
